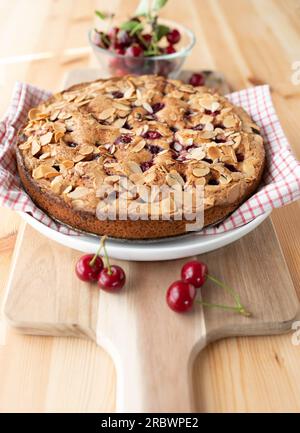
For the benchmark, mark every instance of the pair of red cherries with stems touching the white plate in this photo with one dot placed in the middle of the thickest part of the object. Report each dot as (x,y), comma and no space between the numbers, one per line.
(90,268)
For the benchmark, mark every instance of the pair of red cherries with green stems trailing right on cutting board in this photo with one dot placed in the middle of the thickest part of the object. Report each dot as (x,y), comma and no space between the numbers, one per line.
(181,294)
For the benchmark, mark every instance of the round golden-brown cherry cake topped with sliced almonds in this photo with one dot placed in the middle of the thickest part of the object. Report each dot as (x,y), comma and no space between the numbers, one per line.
(148,130)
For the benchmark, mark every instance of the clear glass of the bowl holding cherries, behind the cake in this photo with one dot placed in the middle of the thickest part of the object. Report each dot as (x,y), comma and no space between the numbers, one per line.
(168,65)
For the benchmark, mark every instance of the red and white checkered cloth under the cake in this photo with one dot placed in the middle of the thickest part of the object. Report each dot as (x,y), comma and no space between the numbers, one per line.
(280,186)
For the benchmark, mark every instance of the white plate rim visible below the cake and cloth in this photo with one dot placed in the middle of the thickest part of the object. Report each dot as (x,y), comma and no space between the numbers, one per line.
(176,248)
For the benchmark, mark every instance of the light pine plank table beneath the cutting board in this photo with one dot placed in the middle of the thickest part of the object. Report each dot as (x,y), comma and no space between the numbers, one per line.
(251,41)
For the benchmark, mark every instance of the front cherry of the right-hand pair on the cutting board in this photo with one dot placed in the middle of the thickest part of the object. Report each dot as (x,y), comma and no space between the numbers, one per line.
(180,296)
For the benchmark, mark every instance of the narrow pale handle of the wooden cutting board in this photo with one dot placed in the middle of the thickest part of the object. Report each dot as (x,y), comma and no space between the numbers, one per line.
(155,380)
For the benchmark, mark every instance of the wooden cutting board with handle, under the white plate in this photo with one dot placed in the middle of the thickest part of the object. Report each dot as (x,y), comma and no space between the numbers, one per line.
(153,348)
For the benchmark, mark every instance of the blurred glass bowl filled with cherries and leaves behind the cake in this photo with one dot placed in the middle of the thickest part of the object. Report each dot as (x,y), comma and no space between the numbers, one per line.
(143,44)
